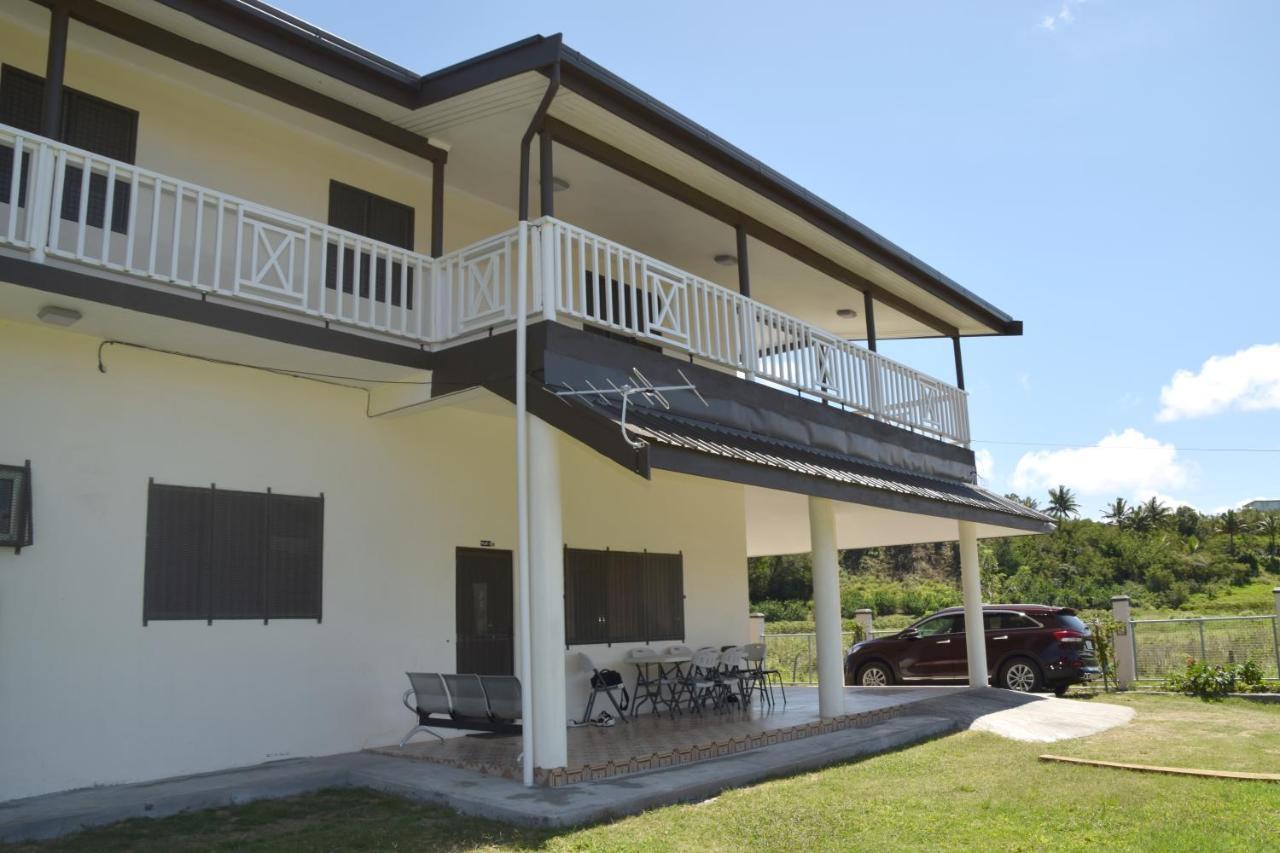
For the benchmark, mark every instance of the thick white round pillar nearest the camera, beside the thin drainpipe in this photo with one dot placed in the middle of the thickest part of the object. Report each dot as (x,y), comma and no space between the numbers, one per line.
(547,597)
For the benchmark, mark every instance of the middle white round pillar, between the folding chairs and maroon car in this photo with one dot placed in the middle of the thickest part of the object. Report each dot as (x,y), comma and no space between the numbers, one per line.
(826,608)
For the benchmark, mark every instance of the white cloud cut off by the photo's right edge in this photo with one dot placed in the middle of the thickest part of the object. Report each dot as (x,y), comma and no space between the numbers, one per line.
(1247,381)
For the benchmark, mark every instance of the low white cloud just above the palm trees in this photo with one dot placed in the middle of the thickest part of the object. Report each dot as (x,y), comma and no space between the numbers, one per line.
(1123,464)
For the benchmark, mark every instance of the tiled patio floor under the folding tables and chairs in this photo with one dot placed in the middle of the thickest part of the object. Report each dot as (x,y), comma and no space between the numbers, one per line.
(651,742)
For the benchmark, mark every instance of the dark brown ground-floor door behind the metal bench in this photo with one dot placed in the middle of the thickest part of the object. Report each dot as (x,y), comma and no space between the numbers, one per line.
(486,621)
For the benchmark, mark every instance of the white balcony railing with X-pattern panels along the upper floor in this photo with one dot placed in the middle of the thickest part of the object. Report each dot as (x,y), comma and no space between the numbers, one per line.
(68,204)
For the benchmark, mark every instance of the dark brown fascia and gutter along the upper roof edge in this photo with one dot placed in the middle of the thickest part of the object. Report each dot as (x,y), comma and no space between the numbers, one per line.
(284,34)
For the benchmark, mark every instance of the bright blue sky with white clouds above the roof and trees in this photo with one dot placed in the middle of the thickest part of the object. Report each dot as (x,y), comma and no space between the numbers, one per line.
(1107,171)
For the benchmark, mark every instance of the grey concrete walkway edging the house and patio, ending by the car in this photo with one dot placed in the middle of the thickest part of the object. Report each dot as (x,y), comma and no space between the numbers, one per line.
(931,713)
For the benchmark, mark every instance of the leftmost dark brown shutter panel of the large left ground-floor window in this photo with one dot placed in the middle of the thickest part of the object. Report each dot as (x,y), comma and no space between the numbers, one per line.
(177,554)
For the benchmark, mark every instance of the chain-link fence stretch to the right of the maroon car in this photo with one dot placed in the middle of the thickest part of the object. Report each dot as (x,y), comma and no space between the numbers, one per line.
(1162,646)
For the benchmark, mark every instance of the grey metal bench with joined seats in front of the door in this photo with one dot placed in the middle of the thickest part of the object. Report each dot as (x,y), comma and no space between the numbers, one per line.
(472,703)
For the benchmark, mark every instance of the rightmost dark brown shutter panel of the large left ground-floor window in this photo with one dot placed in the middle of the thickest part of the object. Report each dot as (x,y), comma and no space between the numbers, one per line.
(295,564)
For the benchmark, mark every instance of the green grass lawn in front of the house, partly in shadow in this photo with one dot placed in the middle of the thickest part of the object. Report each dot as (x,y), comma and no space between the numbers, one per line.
(967,791)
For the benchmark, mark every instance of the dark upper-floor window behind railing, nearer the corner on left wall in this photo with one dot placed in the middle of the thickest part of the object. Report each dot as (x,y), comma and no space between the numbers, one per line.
(378,218)
